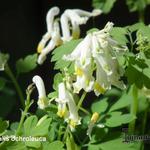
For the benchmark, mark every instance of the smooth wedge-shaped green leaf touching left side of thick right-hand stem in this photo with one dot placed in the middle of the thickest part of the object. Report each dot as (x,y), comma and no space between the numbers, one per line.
(124,101)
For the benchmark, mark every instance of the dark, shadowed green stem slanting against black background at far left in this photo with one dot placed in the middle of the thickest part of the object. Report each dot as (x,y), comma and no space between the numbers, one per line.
(18,89)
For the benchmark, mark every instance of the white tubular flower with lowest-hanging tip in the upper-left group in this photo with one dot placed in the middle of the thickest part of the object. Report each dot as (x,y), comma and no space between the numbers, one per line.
(55,41)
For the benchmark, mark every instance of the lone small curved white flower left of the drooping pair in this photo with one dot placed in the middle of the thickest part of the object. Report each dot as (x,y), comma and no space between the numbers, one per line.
(42,99)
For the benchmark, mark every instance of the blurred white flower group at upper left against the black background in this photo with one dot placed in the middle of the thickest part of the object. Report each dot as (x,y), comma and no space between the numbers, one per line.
(70,21)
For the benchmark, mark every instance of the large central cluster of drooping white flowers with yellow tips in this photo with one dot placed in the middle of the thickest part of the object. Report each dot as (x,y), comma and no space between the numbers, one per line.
(97,53)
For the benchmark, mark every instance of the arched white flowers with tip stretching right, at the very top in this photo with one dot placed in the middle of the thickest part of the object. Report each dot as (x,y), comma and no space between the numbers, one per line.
(76,17)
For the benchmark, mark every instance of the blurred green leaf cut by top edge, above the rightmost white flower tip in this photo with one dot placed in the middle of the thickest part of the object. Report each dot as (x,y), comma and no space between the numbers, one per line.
(104,5)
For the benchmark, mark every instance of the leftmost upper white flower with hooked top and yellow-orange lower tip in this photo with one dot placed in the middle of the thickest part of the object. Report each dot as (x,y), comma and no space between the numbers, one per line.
(50,28)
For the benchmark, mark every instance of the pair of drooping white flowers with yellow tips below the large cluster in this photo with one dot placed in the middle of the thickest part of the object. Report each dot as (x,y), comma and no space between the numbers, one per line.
(65,98)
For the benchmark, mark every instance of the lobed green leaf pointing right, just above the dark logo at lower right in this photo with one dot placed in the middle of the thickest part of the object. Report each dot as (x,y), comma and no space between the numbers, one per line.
(117,119)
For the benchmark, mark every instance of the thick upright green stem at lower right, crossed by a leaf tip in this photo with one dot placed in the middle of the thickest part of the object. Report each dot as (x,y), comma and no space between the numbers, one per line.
(134,108)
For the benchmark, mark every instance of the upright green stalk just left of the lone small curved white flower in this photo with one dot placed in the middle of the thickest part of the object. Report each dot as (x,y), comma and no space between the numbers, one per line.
(28,104)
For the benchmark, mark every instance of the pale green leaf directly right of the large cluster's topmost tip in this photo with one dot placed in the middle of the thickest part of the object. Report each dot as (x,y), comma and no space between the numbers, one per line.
(119,34)
